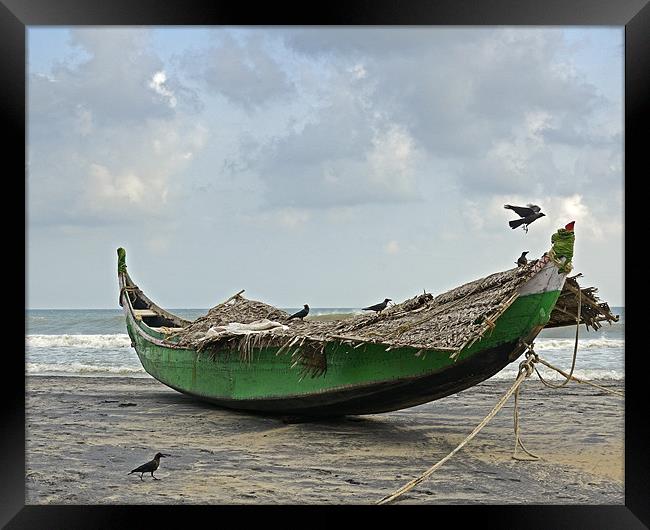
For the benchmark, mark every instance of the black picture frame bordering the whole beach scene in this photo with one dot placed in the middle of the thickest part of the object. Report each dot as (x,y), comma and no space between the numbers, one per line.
(17,15)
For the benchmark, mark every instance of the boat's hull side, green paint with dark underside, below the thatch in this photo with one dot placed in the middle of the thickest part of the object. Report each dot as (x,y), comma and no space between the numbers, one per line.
(363,380)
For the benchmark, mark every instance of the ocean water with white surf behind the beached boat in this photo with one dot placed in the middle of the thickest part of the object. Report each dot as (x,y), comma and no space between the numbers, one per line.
(93,342)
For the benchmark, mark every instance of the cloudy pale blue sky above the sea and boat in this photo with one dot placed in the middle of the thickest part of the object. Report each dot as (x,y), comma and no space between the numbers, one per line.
(330,166)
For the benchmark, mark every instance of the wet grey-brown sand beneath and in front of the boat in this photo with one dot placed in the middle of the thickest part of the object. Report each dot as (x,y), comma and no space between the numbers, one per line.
(83,436)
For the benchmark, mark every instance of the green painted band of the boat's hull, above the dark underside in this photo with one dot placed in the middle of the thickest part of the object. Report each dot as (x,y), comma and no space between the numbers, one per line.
(225,376)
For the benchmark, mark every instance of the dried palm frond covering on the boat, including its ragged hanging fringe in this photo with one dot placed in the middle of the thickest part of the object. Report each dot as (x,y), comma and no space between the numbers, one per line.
(447,322)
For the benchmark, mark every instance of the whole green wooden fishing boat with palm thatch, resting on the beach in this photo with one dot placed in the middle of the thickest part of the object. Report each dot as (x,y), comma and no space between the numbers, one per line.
(418,351)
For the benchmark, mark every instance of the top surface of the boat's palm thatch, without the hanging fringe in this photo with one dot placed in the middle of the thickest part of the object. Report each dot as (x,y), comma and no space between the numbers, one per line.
(447,322)
